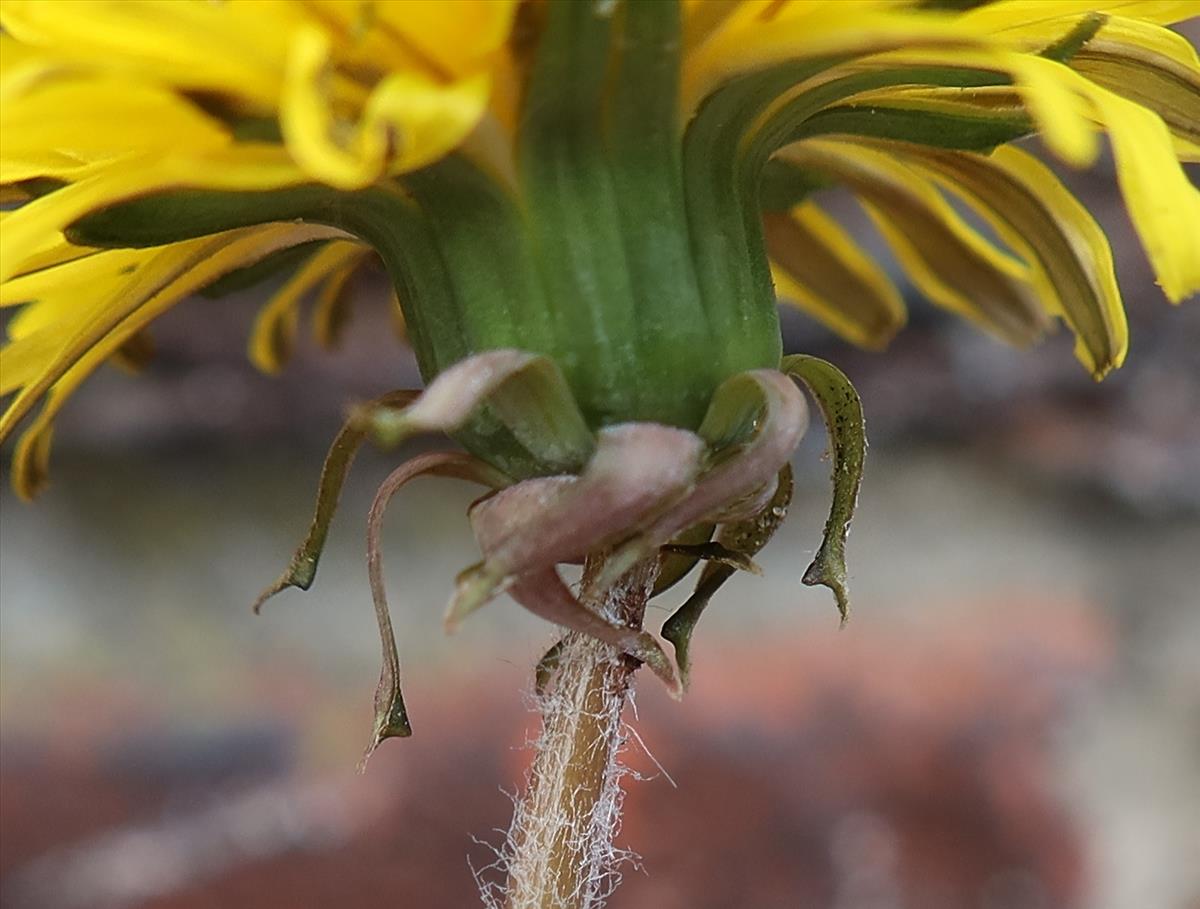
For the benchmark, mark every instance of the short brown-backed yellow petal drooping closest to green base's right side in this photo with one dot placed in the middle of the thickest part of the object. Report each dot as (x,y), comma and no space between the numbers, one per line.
(820,269)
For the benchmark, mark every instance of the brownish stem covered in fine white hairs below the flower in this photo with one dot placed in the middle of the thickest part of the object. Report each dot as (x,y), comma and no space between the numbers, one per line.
(561,842)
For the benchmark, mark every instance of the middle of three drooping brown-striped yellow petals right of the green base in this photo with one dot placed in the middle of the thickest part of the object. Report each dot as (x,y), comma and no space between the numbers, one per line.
(946,260)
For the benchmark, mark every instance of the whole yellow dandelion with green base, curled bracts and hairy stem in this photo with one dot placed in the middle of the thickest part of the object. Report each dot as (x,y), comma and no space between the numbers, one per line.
(589,210)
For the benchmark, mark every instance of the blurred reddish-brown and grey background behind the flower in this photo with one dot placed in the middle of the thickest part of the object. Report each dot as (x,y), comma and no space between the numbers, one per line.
(1011,721)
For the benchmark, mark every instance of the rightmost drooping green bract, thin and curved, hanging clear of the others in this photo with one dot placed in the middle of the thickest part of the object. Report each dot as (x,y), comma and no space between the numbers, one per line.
(843,413)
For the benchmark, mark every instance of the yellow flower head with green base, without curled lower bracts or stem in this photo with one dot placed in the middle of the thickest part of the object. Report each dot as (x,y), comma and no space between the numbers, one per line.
(609,184)
